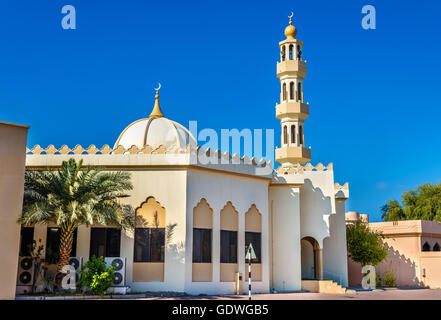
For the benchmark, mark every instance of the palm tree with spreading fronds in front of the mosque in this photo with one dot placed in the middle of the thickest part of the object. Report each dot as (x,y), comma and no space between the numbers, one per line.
(73,196)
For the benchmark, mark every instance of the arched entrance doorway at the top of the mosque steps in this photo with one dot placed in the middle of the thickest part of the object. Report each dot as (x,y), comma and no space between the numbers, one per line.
(311,259)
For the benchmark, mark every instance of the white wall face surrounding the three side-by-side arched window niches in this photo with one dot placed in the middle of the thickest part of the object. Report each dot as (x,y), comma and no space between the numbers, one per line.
(243,192)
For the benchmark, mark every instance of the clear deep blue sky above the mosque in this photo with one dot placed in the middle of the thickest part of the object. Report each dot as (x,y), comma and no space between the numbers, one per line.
(375,95)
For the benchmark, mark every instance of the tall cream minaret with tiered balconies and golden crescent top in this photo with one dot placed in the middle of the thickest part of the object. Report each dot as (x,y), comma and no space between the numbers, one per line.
(292,111)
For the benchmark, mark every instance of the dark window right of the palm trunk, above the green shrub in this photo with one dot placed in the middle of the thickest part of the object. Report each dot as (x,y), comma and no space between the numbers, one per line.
(105,242)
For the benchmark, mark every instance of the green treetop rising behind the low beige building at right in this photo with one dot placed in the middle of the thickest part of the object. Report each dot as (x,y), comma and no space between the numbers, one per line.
(424,203)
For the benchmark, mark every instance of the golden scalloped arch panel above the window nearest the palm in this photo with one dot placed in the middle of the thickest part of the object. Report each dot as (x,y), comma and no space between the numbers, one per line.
(150,214)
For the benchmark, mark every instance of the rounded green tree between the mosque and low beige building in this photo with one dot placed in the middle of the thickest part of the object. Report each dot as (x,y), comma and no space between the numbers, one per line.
(364,245)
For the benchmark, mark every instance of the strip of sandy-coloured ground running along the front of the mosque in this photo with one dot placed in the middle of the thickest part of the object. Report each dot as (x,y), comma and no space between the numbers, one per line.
(388,294)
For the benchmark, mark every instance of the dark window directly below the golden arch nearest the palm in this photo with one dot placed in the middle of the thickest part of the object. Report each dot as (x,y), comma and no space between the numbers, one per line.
(149,244)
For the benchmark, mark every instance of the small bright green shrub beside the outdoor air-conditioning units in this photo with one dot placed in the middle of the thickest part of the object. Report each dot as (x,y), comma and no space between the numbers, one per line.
(95,276)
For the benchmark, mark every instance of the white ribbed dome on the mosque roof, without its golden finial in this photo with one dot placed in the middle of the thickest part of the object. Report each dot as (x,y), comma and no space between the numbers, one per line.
(155,132)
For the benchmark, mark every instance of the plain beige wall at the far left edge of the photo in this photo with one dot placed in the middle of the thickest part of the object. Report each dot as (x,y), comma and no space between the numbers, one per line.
(12,166)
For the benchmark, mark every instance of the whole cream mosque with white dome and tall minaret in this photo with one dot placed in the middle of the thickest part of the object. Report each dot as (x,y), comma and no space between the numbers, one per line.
(218,203)
